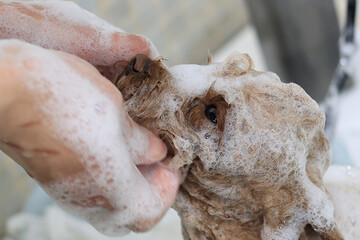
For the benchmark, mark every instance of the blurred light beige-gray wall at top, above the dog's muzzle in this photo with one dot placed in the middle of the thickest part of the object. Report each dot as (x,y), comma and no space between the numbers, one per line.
(183,31)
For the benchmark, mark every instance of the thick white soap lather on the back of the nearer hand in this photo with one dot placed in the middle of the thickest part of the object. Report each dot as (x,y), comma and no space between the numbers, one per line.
(90,124)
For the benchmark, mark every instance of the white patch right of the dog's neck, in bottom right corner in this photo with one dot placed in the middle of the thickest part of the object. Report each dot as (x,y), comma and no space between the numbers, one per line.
(343,186)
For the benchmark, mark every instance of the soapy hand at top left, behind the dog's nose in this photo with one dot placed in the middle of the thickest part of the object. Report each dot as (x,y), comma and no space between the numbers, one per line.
(64,26)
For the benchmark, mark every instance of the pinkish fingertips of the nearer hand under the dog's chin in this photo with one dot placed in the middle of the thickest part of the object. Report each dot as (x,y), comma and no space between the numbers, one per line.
(163,181)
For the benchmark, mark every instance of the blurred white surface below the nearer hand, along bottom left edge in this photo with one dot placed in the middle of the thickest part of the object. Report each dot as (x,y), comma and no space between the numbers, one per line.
(56,224)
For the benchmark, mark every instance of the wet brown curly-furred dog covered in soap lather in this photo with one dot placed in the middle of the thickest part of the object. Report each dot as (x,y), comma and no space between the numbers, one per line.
(260,193)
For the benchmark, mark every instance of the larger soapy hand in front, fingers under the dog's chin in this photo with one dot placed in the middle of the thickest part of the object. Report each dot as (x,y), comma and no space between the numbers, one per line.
(83,119)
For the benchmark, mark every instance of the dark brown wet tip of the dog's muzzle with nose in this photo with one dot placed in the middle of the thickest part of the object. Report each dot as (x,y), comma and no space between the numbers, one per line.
(140,72)
